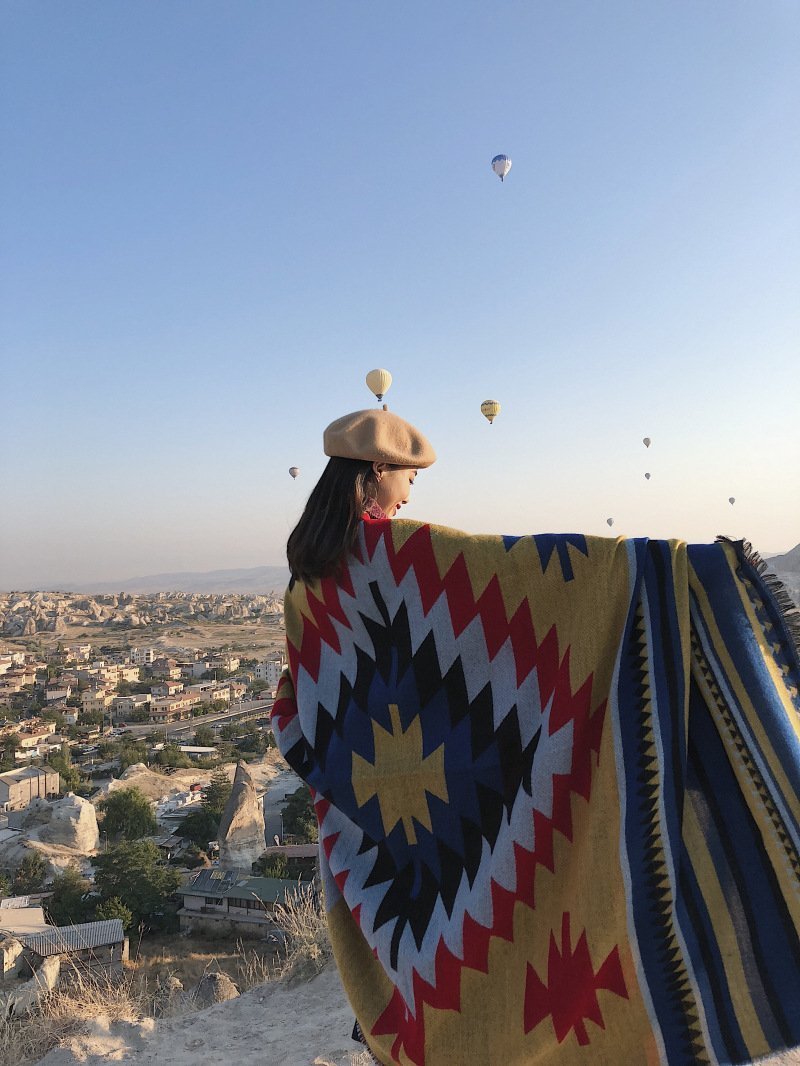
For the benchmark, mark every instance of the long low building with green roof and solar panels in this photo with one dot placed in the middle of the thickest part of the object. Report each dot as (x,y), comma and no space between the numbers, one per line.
(231,901)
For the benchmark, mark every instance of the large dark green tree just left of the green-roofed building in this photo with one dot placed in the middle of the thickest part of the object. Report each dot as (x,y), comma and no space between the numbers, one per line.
(134,874)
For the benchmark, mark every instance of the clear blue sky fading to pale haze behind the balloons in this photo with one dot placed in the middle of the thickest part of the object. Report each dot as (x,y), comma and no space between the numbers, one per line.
(218,217)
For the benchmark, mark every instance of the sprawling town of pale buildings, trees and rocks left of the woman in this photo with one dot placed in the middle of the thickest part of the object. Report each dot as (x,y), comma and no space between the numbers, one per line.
(141,790)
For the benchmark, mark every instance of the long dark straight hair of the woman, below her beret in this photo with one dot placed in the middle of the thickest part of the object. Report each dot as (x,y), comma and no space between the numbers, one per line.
(327,531)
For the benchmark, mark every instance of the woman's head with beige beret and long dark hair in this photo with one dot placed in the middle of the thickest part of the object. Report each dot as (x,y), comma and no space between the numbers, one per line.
(375,459)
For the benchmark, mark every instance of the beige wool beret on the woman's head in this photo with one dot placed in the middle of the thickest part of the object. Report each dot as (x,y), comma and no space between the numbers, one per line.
(378,437)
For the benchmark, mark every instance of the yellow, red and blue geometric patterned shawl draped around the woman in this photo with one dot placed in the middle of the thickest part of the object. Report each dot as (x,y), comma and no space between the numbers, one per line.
(557,785)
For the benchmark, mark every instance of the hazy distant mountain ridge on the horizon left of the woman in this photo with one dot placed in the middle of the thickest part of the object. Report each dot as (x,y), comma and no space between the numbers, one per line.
(257,580)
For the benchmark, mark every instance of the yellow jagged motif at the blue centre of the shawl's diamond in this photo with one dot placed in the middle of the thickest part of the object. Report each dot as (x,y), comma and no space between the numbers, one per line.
(401,777)
